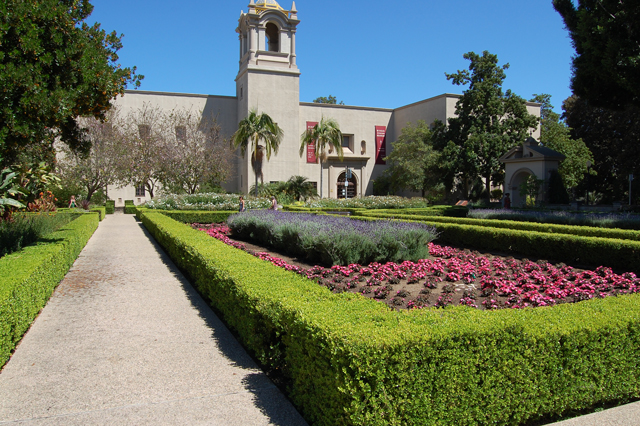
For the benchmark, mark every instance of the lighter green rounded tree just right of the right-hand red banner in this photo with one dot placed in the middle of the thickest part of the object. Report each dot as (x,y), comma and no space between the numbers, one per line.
(414,163)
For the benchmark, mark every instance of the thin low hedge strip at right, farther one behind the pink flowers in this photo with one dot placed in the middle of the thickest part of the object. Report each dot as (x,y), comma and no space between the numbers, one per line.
(584,231)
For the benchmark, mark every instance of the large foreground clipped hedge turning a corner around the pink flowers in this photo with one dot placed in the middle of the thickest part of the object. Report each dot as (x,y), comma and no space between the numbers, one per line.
(351,361)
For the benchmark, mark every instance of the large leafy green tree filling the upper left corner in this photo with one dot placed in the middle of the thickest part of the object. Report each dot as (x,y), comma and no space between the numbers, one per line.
(54,68)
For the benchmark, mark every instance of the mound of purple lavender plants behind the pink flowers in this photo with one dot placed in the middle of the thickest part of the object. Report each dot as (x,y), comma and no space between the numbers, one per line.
(334,240)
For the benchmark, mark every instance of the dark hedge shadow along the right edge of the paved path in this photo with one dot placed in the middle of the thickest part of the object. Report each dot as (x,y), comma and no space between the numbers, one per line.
(266,396)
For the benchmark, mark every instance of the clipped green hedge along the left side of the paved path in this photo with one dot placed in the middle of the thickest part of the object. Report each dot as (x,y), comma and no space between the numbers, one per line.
(29,276)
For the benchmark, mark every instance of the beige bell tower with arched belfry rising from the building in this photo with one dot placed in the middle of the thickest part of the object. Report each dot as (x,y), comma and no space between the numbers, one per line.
(268,81)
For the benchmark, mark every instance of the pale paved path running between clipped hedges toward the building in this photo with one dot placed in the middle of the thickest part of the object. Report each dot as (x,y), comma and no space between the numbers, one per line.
(125,340)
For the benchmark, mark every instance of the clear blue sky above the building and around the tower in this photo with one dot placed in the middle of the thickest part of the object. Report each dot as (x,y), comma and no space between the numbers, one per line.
(376,53)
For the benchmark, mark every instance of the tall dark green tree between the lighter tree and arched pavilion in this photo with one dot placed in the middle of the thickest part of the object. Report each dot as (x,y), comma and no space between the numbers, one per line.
(488,123)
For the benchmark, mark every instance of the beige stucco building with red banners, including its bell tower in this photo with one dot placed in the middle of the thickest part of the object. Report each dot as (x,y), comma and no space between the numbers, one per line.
(268,81)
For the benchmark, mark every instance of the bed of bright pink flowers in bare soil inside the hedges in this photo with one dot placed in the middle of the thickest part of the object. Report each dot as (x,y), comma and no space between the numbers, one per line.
(454,276)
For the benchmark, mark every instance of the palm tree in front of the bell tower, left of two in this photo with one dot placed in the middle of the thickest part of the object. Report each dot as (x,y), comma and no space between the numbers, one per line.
(250,131)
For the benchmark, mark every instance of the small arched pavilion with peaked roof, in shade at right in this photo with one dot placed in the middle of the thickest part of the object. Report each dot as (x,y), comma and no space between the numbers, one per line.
(527,159)
